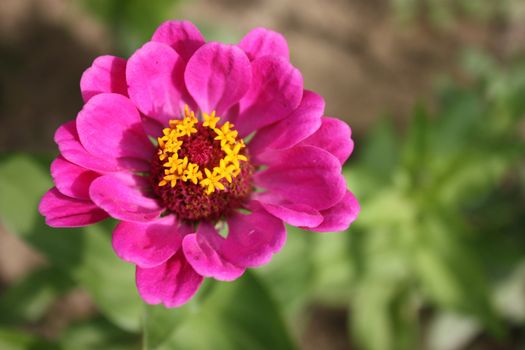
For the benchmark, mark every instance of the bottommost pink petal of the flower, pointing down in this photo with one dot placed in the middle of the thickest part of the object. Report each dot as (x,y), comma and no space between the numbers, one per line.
(172,283)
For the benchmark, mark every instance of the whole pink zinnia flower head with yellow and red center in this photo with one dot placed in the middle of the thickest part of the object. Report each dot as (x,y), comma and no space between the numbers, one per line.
(187,139)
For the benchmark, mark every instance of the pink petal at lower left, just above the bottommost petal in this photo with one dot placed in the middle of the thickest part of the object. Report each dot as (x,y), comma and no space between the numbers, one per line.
(149,244)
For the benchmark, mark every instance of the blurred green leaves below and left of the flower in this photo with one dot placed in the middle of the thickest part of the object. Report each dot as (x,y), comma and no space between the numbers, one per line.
(224,316)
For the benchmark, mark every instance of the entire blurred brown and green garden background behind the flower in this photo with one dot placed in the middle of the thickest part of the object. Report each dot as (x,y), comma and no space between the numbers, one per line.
(434,91)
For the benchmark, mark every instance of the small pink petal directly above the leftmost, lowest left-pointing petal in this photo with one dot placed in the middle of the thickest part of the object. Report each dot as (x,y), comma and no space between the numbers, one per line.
(71,179)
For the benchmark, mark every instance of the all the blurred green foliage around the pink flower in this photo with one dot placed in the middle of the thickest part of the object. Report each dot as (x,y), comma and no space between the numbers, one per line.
(436,258)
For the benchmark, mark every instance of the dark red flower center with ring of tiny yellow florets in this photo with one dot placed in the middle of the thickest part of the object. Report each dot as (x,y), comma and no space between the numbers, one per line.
(201,171)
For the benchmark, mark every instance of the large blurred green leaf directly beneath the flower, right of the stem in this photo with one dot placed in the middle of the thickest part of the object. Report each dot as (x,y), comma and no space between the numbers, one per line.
(237,315)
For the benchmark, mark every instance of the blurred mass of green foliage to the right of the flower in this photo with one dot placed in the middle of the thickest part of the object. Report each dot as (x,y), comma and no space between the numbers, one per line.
(436,257)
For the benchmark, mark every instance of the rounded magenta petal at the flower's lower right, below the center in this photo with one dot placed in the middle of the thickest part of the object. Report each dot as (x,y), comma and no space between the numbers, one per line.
(253,238)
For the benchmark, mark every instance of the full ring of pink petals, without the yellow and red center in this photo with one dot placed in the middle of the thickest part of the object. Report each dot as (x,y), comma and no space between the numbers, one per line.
(108,137)
